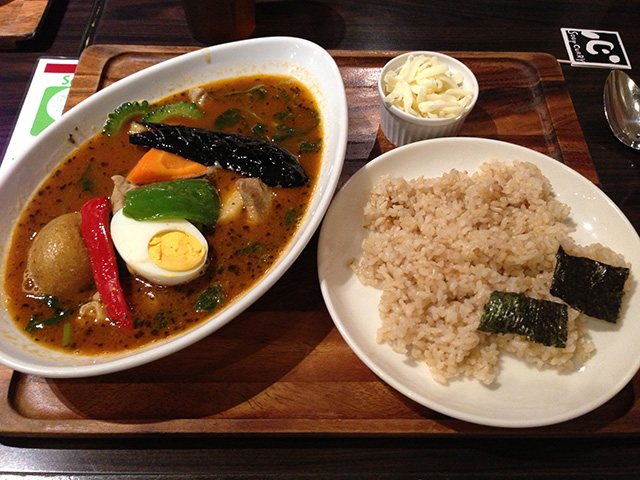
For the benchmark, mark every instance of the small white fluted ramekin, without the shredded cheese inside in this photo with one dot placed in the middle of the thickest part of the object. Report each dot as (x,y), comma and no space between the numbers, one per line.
(401,128)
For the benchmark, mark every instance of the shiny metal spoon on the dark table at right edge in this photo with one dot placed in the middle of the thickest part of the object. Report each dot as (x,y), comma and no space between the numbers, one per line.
(622,108)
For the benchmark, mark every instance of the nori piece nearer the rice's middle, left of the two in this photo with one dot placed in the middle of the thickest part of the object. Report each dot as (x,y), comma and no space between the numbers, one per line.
(540,321)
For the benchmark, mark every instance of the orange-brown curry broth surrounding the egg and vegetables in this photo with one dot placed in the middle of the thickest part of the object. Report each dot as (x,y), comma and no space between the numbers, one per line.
(233,264)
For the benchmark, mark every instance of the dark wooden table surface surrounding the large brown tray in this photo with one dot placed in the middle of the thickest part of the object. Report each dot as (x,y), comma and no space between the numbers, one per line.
(525,25)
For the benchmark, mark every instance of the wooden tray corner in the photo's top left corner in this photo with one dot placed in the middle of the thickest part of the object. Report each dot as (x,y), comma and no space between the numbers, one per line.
(19,20)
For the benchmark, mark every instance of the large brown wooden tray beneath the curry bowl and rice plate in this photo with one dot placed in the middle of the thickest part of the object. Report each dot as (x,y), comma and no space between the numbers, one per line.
(282,367)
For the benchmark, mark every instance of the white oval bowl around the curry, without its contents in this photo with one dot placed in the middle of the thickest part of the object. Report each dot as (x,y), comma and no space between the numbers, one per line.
(306,61)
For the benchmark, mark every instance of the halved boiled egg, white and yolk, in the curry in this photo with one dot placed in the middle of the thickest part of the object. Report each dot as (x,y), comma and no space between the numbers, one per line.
(164,252)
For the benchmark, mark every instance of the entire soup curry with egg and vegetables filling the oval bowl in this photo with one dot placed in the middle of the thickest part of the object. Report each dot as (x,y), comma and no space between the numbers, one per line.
(165,217)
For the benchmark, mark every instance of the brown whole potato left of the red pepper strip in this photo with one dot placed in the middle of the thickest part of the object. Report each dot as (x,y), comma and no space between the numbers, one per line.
(58,262)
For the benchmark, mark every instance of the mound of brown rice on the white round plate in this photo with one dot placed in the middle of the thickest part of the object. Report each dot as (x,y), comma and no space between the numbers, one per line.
(438,247)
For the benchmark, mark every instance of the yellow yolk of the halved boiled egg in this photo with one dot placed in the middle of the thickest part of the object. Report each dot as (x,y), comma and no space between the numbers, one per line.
(176,251)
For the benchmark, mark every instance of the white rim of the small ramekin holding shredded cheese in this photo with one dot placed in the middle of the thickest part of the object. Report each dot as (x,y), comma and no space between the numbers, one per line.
(459,67)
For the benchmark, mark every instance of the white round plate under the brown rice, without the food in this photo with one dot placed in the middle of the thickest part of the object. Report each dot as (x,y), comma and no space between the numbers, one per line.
(521,396)
